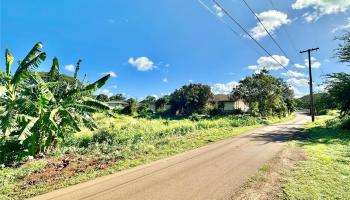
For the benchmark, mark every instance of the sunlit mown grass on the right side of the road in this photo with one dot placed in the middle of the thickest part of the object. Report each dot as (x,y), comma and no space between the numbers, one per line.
(325,174)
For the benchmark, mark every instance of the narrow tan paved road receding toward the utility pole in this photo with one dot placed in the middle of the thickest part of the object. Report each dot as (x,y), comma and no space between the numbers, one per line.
(211,172)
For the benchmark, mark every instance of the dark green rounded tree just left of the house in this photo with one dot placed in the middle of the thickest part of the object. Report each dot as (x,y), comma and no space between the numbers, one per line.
(190,99)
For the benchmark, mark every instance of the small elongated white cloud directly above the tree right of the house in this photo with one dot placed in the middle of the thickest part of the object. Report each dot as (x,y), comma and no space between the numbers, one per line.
(269,63)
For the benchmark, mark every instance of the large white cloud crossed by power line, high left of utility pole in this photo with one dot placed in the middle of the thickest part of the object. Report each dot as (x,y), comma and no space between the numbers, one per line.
(272,20)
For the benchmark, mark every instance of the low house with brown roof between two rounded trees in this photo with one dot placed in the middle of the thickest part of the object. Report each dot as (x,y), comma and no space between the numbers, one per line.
(225,102)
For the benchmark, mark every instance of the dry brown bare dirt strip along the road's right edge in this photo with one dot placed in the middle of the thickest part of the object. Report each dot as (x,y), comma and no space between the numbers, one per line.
(266,184)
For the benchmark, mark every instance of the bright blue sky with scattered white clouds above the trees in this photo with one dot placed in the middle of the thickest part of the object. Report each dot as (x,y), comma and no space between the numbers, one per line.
(156,46)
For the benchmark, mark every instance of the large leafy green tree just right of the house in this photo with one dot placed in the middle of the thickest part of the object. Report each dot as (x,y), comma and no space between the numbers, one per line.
(265,94)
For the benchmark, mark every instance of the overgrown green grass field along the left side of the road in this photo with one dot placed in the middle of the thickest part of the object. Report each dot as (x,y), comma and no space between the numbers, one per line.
(120,143)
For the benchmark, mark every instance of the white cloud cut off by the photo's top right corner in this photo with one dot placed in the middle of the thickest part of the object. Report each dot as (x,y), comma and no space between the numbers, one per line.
(321,8)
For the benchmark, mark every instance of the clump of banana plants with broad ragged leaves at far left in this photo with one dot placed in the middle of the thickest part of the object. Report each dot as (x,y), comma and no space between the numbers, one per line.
(38,112)
